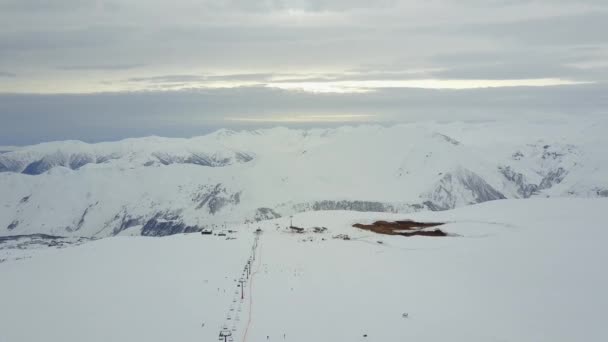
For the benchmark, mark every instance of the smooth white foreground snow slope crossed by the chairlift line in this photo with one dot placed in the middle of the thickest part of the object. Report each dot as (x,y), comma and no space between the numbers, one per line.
(513,270)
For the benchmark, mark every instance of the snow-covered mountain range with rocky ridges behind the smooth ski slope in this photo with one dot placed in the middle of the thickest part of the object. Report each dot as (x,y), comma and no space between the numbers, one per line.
(160,186)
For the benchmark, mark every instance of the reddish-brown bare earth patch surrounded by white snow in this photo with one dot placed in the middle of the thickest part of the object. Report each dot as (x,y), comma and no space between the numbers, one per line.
(403,228)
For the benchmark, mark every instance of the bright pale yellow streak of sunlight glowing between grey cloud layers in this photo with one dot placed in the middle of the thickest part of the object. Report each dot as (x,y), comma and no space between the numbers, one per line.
(337,81)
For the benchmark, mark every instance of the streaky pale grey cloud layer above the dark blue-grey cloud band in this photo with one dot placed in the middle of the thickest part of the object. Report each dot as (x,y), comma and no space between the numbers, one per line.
(261,40)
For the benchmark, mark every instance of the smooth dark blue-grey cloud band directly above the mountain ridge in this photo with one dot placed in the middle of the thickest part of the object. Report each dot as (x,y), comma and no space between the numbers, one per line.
(111,116)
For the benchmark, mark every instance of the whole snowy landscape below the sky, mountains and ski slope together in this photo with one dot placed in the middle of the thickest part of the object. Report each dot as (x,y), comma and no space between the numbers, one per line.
(102,242)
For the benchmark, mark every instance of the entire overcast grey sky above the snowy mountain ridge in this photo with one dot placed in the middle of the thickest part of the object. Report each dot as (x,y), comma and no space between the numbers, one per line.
(101,70)
